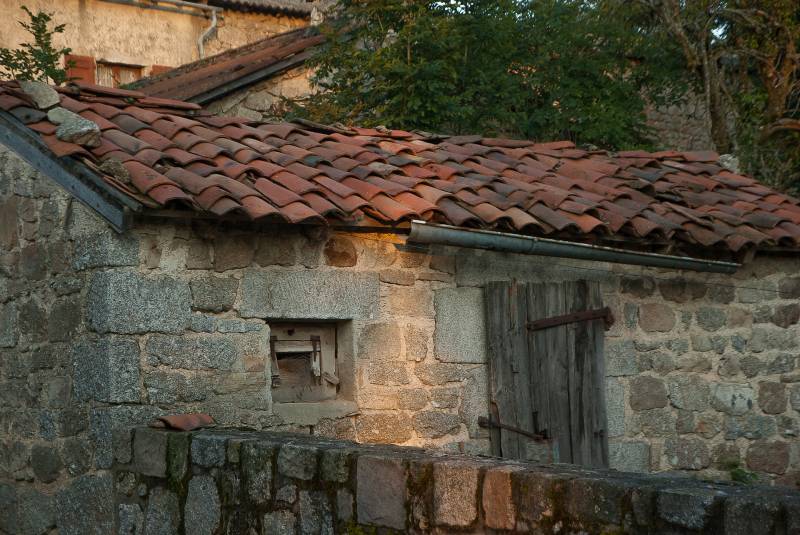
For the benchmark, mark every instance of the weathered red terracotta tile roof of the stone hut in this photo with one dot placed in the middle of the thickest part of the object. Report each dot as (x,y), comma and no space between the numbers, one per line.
(184,158)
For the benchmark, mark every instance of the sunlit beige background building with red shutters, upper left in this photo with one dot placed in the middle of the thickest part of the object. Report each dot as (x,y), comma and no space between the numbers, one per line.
(115,42)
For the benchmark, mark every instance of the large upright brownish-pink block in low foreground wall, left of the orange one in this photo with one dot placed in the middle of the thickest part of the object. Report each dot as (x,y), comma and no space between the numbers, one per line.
(380,492)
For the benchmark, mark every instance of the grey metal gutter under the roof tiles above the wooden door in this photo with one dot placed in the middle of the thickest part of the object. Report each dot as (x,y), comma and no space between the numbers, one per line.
(430,233)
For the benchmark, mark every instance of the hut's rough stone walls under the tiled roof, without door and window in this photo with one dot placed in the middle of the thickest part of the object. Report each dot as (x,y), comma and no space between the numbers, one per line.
(99,332)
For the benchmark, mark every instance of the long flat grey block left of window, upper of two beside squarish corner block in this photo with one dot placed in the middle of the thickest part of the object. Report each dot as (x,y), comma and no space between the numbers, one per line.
(198,352)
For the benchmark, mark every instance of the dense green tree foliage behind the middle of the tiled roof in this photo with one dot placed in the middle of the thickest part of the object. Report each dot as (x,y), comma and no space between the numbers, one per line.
(543,69)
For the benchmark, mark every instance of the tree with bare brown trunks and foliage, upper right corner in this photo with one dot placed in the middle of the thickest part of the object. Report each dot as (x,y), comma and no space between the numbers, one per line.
(744,57)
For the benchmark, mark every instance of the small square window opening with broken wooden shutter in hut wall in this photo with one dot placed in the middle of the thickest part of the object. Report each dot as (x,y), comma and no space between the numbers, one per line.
(304,362)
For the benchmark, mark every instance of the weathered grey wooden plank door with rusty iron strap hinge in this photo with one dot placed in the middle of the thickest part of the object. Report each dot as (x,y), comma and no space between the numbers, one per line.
(550,379)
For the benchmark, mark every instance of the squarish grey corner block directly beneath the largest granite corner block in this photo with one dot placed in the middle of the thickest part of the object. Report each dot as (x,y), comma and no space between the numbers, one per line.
(106,369)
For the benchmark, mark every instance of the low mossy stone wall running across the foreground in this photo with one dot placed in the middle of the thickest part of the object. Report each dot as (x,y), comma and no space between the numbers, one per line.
(242,482)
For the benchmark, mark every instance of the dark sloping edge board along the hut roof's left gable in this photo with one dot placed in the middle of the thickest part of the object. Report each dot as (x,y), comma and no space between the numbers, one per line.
(83,183)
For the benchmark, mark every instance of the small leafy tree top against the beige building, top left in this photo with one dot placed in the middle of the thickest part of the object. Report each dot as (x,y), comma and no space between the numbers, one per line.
(39,60)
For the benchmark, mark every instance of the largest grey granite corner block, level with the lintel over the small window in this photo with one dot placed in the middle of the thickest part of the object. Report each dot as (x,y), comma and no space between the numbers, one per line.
(129,303)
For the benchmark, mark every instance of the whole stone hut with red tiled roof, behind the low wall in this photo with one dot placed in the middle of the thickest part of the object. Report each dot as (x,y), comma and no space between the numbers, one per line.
(159,259)
